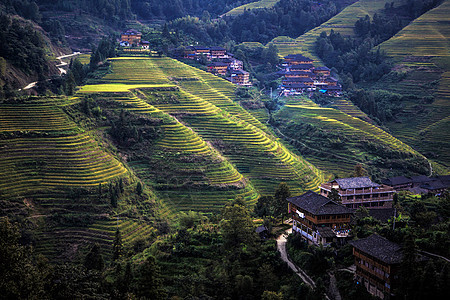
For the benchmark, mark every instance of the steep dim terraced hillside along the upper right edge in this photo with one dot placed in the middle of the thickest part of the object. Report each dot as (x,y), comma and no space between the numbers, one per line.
(422,53)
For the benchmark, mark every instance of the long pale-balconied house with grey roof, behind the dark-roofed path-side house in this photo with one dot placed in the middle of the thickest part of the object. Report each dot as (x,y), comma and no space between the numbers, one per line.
(360,191)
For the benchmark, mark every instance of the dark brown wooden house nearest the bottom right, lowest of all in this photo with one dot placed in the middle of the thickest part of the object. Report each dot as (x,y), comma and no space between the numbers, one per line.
(377,263)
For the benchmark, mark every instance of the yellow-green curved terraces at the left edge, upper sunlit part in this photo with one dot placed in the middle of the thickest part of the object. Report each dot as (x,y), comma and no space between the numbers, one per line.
(43,149)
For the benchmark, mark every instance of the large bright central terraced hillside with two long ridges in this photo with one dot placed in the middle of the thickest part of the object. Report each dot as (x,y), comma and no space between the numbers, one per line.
(202,109)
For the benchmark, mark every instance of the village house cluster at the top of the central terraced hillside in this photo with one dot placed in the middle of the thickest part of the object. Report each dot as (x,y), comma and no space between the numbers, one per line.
(221,63)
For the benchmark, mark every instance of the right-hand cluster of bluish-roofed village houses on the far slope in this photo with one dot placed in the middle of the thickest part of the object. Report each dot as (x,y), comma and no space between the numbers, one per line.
(300,76)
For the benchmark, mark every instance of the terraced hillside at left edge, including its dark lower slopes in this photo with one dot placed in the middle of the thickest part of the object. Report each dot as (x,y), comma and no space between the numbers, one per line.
(53,171)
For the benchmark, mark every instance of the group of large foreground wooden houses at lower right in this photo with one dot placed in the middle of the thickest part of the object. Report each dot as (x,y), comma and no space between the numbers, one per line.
(320,220)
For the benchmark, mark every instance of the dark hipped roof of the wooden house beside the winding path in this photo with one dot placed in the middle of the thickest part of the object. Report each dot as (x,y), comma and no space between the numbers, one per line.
(318,205)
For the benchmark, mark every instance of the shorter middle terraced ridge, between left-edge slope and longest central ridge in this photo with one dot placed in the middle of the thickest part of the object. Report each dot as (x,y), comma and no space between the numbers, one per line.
(185,170)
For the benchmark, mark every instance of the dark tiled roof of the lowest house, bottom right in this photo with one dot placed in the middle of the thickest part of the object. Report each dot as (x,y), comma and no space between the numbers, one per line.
(379,247)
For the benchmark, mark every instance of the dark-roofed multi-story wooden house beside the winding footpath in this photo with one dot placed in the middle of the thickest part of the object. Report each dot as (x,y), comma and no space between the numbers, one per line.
(319,219)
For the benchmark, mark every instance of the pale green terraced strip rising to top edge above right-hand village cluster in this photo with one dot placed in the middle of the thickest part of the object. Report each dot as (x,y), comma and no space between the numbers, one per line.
(343,23)
